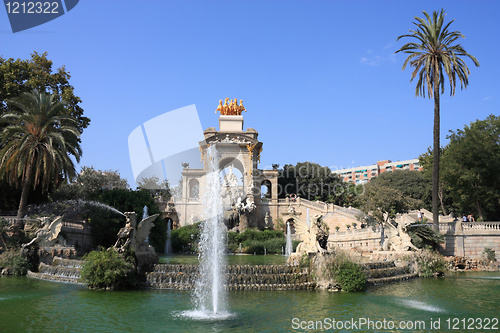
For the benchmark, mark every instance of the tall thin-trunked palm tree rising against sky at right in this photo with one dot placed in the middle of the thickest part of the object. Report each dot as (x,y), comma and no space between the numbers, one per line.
(433,55)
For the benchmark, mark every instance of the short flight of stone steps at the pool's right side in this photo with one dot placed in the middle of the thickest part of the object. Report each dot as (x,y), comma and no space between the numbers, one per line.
(386,272)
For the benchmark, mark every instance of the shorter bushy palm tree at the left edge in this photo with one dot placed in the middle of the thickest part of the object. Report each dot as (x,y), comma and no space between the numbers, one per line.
(37,142)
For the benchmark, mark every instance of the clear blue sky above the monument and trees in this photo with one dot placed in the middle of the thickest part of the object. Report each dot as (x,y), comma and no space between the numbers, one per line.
(319,79)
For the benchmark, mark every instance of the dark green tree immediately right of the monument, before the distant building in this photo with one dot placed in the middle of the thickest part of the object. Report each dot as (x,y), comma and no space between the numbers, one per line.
(310,181)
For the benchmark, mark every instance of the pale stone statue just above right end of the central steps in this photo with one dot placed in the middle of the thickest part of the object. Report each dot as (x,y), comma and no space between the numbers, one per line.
(314,236)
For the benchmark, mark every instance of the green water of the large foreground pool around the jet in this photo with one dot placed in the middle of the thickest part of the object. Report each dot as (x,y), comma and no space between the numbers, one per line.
(29,305)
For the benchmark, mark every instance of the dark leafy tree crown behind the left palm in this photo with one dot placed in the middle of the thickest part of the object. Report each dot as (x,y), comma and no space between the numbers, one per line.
(19,76)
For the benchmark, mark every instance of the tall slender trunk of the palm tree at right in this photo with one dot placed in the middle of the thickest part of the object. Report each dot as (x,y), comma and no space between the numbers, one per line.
(435,155)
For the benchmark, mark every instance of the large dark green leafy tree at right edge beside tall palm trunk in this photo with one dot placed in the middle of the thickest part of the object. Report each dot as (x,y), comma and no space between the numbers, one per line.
(469,168)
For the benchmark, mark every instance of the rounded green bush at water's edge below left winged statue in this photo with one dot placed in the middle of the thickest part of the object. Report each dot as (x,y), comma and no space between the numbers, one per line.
(108,269)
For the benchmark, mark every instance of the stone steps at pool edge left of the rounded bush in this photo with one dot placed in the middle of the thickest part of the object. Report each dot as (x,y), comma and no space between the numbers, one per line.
(61,270)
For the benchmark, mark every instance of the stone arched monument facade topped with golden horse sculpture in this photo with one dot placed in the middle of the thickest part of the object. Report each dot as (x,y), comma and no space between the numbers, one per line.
(239,156)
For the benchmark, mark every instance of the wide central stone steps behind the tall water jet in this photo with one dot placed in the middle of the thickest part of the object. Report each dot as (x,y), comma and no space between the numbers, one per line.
(243,277)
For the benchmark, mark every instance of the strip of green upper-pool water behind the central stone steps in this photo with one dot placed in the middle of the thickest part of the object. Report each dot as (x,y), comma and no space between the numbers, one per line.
(231,259)
